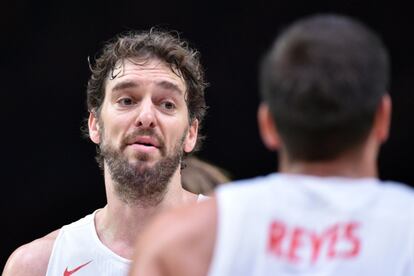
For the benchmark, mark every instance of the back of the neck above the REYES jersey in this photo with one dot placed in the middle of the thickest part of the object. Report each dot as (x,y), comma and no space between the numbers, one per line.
(358,163)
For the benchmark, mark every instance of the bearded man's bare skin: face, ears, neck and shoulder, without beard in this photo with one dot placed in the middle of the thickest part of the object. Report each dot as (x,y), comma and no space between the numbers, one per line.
(143,96)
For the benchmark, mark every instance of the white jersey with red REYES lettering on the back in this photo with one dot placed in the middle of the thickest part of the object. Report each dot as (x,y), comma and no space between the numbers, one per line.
(302,225)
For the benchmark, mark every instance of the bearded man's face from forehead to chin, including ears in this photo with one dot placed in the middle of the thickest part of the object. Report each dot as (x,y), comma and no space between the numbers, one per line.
(144,114)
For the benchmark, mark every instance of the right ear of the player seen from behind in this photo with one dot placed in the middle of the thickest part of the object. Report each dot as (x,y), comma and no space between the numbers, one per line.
(383,118)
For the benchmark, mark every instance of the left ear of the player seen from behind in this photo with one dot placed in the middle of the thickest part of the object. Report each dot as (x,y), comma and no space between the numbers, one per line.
(267,128)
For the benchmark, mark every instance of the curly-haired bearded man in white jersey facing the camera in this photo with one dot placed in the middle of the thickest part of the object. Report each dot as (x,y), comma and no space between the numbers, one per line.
(146,104)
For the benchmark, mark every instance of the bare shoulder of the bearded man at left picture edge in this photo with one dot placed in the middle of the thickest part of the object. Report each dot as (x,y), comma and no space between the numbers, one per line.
(32,258)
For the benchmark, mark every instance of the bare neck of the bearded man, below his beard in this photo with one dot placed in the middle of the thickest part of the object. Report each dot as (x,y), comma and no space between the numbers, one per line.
(118,224)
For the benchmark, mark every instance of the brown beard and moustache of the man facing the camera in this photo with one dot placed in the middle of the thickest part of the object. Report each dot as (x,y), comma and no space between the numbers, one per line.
(137,183)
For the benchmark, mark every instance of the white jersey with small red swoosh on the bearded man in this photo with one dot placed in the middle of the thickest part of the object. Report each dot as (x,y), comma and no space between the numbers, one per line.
(77,248)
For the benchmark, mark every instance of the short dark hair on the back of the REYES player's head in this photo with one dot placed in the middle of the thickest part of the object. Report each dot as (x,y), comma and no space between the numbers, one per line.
(323,80)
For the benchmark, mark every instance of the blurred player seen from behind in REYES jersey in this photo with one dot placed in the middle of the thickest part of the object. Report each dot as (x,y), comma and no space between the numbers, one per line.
(325,108)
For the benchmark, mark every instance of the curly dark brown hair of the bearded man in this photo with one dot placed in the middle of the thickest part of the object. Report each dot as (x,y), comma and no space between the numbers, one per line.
(144,45)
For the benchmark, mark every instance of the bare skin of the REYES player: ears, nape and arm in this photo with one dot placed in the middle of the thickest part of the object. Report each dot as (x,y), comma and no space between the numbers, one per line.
(187,248)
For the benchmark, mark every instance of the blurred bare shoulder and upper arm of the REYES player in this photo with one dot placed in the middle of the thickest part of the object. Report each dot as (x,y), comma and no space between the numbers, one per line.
(179,242)
